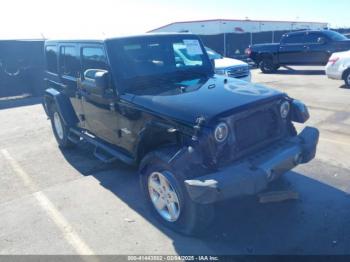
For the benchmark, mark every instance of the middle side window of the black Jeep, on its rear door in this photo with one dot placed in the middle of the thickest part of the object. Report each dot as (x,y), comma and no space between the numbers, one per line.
(69,61)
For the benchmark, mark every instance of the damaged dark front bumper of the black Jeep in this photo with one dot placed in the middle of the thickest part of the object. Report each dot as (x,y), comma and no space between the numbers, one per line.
(253,175)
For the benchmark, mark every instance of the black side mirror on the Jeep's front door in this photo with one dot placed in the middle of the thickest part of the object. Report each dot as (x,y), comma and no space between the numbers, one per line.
(100,78)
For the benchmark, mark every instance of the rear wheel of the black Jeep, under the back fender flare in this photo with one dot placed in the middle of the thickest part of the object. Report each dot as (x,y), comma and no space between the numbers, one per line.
(59,128)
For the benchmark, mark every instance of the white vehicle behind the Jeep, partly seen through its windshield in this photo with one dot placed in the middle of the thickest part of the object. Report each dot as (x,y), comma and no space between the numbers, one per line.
(223,65)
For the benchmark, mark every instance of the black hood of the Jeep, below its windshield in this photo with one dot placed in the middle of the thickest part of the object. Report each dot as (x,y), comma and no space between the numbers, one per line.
(212,98)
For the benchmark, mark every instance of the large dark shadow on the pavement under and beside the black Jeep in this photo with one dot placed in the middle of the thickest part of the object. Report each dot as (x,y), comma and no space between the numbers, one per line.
(317,223)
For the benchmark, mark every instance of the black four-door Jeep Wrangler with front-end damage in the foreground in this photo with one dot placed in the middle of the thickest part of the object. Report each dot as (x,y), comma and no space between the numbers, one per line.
(197,137)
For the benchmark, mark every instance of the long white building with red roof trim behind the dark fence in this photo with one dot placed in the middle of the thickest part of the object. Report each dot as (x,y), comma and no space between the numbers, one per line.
(223,26)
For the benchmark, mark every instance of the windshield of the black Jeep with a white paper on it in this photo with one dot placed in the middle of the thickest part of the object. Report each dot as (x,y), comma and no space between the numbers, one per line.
(157,57)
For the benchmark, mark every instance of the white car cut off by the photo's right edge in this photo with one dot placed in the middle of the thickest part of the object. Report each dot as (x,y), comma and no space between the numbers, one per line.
(338,67)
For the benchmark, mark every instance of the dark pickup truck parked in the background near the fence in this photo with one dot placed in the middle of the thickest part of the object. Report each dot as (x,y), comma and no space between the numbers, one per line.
(298,48)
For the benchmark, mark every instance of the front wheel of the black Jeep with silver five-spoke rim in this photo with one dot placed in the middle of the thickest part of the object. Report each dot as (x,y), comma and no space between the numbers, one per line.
(168,200)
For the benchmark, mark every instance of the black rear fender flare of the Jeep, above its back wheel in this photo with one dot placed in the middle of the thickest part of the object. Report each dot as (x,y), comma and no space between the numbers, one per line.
(64,106)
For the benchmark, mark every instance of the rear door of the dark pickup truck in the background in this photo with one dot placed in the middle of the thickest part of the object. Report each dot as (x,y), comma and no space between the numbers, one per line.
(292,49)
